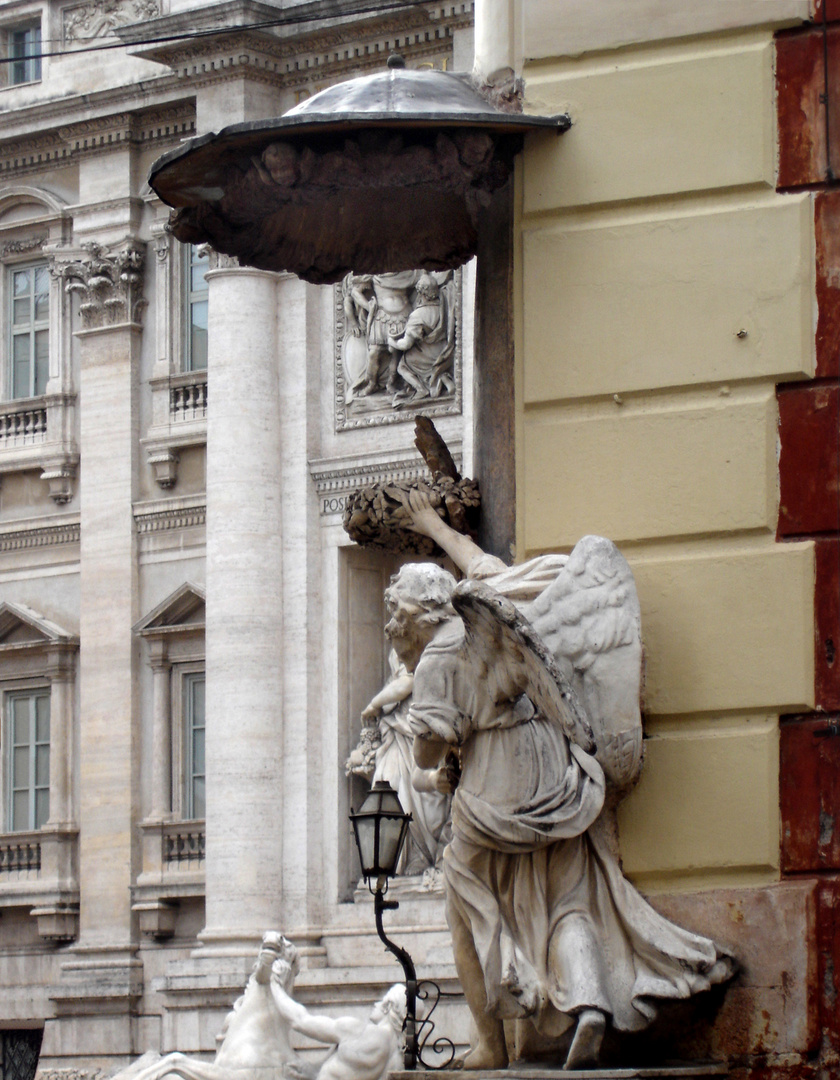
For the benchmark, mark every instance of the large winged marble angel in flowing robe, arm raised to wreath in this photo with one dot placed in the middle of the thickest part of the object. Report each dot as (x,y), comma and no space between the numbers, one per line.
(532,676)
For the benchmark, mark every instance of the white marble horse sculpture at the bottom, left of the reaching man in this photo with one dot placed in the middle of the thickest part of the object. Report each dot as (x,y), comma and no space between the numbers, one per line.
(255,1036)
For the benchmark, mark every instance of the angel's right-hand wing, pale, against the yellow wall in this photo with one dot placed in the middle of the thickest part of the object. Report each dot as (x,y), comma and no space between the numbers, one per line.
(589,618)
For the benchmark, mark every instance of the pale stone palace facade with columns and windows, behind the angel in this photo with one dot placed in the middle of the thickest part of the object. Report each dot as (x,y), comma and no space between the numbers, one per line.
(154,543)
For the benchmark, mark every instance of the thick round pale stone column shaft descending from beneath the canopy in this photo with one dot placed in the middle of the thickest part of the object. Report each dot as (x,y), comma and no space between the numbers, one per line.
(243,614)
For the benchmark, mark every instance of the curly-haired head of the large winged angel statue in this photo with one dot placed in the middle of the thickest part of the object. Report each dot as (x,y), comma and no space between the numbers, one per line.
(418,599)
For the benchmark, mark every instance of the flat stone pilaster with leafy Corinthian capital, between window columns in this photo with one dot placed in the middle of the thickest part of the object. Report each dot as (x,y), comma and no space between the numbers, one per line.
(102,979)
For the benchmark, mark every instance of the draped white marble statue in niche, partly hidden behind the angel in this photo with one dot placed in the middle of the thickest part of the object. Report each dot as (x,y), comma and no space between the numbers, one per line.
(386,752)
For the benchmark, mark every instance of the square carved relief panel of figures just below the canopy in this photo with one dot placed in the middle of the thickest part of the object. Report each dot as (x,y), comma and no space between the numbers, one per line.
(400,335)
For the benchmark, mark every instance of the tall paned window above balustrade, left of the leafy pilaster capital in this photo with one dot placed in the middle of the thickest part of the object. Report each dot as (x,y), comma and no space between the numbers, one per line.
(30,327)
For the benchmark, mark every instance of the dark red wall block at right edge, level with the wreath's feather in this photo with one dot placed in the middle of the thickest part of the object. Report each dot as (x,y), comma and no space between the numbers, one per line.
(809,465)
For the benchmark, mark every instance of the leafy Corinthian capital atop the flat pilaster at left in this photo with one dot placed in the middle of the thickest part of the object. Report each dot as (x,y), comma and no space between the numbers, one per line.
(110,285)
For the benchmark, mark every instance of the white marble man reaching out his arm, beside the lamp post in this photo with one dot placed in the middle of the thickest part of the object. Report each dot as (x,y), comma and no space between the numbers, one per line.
(362,1049)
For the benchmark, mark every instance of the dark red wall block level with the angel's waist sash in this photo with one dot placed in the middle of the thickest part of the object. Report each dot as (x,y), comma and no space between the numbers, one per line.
(810,794)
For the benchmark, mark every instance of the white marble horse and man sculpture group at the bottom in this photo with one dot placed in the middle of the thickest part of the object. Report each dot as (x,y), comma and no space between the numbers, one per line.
(255,1039)
